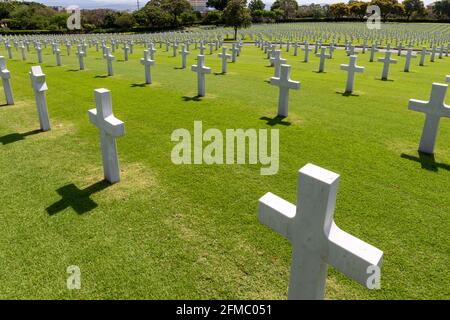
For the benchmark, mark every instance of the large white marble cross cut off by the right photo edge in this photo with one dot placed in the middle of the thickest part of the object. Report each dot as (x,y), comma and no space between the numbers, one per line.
(434,109)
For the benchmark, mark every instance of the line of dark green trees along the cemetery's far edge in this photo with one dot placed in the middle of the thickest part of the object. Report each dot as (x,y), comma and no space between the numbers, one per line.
(169,14)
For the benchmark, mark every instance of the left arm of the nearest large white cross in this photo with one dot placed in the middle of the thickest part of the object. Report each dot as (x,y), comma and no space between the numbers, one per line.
(276,213)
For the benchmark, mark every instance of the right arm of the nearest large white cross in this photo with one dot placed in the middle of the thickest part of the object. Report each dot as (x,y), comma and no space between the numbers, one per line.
(351,255)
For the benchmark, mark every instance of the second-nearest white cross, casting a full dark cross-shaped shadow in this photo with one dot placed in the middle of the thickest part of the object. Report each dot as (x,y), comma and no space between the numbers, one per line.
(110,127)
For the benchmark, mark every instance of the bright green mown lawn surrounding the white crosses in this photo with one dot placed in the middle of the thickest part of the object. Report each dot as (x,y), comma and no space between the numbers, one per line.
(191,231)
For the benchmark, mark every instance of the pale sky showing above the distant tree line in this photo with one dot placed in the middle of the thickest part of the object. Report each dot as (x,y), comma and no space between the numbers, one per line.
(131,4)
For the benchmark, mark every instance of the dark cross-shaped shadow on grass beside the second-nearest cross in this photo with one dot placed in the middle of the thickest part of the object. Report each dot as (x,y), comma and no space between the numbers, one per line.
(78,199)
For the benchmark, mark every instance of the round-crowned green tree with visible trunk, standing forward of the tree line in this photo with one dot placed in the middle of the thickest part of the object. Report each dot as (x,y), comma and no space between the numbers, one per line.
(237,15)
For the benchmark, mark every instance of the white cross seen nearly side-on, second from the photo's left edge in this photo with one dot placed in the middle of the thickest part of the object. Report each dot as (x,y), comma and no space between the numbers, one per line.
(39,86)
